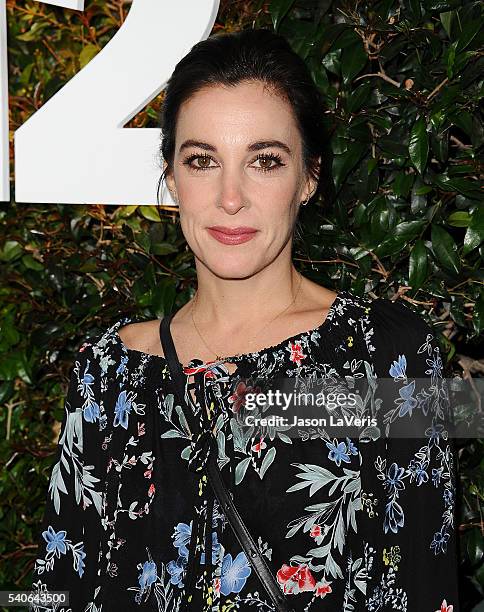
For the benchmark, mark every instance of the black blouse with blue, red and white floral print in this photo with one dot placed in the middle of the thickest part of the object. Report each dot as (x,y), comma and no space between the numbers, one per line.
(345,524)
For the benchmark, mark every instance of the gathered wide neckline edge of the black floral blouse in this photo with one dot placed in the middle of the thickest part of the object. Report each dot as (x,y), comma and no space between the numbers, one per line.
(195,362)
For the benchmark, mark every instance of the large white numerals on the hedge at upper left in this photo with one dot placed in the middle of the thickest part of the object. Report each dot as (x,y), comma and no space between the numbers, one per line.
(74,149)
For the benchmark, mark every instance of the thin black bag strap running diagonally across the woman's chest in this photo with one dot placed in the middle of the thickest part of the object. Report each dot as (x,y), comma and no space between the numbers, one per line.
(218,484)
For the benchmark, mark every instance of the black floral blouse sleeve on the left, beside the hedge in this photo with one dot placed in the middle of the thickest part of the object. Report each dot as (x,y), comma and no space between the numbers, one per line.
(70,534)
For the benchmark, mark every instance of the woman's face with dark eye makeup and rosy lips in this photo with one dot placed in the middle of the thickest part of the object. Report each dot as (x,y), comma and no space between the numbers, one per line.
(238,162)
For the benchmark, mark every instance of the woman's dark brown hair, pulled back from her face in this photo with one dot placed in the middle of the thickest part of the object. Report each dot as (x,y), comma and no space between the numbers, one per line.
(251,55)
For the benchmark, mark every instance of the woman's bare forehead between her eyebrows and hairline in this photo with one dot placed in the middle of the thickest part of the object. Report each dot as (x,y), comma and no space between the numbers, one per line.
(237,114)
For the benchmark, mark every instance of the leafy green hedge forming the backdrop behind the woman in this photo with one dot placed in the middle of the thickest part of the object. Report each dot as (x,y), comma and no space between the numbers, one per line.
(402,83)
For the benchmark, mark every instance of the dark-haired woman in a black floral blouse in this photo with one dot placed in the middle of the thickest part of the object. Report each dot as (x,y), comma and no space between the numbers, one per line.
(363,522)
